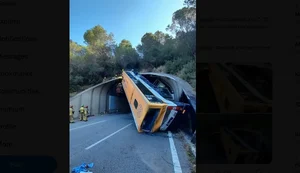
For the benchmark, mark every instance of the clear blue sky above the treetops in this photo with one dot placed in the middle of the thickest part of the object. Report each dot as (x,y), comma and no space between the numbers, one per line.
(126,19)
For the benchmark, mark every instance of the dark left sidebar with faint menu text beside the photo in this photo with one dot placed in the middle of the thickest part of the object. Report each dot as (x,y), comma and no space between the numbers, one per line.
(34,71)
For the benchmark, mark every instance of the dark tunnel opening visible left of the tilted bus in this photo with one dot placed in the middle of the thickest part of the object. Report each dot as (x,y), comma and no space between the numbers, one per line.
(117,101)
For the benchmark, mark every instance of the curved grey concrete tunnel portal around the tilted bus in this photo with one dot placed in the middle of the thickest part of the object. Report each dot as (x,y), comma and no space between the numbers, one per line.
(103,99)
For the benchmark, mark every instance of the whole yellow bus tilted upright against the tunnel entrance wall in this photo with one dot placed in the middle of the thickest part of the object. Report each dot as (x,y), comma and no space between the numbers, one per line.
(150,110)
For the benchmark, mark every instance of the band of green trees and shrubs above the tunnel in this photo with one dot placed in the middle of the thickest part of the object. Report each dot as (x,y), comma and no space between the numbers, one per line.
(102,58)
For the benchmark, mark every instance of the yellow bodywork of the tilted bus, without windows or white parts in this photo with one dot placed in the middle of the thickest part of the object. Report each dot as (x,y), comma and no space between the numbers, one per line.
(140,105)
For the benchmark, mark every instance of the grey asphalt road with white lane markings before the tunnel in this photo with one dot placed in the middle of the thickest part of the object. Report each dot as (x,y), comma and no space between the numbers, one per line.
(113,144)
